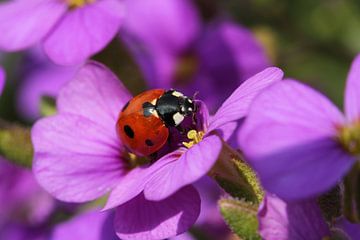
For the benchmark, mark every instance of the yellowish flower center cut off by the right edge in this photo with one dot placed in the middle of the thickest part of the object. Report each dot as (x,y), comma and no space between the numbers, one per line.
(349,137)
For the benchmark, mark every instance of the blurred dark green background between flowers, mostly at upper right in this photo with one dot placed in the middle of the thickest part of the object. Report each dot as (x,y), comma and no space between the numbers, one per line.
(312,41)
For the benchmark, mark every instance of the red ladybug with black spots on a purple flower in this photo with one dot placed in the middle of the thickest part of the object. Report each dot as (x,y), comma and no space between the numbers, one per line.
(144,122)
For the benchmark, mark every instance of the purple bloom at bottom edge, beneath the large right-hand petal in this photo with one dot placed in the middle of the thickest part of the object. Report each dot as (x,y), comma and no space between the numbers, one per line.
(302,220)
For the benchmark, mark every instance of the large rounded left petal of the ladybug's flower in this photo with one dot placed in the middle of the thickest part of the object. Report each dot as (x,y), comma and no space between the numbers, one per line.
(75,159)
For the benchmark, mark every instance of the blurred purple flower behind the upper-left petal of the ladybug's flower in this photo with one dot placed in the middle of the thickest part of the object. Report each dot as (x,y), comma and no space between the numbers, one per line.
(41,78)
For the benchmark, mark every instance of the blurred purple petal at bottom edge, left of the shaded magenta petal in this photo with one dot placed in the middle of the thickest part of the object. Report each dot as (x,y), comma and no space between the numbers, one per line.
(92,225)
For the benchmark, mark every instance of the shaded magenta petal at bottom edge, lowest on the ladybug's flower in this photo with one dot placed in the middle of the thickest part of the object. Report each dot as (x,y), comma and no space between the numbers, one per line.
(143,219)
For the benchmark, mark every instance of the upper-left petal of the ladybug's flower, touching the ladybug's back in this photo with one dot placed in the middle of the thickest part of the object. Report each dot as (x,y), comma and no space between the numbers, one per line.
(96,94)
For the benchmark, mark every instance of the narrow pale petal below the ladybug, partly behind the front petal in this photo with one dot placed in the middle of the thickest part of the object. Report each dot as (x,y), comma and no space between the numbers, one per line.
(133,183)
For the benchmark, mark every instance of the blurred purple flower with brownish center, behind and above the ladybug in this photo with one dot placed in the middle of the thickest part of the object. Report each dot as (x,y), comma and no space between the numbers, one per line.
(174,48)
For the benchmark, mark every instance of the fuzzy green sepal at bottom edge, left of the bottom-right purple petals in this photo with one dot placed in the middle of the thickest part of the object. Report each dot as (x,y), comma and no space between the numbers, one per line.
(241,216)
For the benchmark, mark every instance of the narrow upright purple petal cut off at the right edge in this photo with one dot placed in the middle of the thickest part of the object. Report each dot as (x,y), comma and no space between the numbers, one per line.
(352,93)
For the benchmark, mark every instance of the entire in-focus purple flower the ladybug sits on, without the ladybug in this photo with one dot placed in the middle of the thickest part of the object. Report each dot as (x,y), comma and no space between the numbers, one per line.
(78,156)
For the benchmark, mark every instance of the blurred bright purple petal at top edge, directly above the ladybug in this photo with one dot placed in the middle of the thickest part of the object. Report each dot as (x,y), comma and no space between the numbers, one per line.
(157,37)
